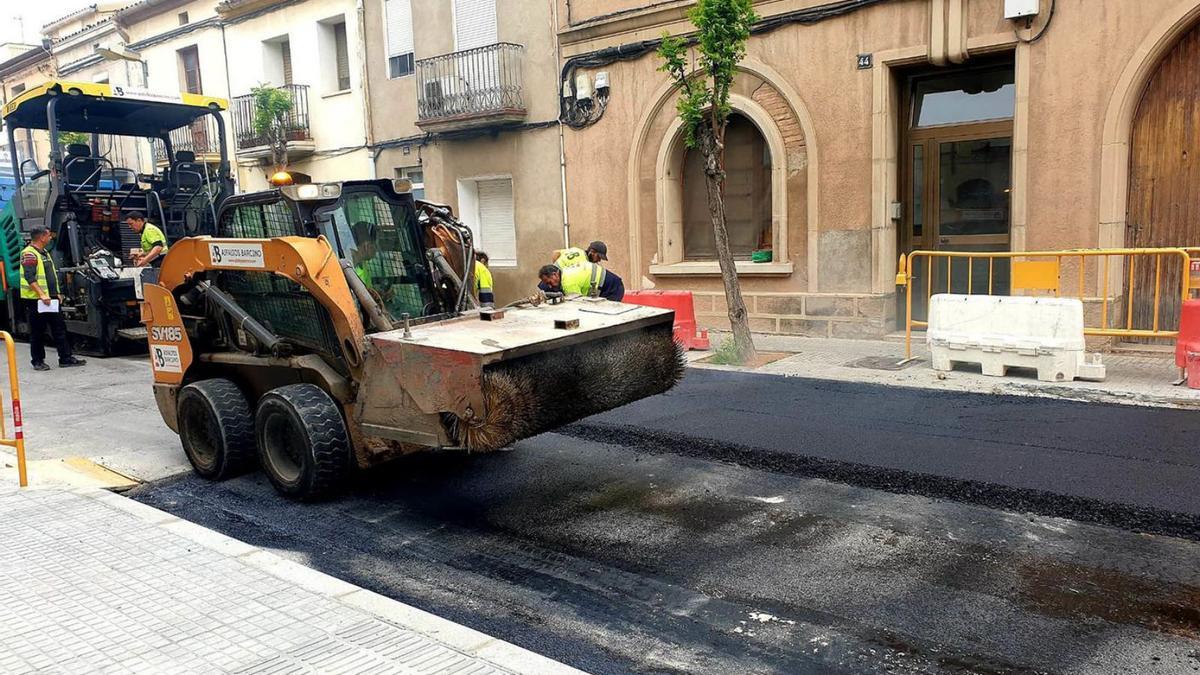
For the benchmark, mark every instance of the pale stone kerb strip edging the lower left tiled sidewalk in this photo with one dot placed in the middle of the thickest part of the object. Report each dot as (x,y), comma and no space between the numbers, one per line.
(455,636)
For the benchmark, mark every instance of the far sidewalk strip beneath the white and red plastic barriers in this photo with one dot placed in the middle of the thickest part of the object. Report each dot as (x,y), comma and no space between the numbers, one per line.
(1133,379)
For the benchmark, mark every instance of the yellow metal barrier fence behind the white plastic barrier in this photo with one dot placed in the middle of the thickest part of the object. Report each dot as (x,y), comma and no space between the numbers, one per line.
(1061,273)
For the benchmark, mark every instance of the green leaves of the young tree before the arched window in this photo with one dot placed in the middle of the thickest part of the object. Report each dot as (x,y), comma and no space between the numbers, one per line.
(723,28)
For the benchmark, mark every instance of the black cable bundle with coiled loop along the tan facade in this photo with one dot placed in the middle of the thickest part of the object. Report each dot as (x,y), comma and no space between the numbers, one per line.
(579,112)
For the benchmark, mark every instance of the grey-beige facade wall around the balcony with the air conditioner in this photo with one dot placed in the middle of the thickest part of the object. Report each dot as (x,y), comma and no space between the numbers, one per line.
(530,157)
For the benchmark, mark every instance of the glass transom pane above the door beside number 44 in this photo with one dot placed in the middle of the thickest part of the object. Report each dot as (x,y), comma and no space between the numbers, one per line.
(964,98)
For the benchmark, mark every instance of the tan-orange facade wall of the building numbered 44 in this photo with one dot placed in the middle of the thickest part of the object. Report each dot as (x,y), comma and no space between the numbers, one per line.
(842,242)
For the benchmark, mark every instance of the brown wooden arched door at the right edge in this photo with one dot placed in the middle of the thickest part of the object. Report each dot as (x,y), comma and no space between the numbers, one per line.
(1165,177)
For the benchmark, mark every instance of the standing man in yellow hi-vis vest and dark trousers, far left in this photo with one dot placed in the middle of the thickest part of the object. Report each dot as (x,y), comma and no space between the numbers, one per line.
(41,296)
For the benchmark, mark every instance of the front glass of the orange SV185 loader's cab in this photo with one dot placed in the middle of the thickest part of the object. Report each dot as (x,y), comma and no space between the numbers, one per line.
(380,240)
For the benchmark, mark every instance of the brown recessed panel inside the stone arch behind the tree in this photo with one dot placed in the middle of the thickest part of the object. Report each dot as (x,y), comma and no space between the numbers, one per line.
(748,195)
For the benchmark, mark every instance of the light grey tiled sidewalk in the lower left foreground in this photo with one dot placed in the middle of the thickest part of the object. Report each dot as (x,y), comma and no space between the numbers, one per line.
(95,583)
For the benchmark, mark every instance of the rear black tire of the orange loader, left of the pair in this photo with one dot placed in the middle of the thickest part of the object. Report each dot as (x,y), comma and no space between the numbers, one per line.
(217,429)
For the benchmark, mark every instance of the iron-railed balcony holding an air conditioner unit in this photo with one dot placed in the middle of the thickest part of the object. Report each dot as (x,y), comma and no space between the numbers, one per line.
(472,89)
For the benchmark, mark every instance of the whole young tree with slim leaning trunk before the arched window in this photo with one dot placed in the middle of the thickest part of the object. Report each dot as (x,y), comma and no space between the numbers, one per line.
(723,29)
